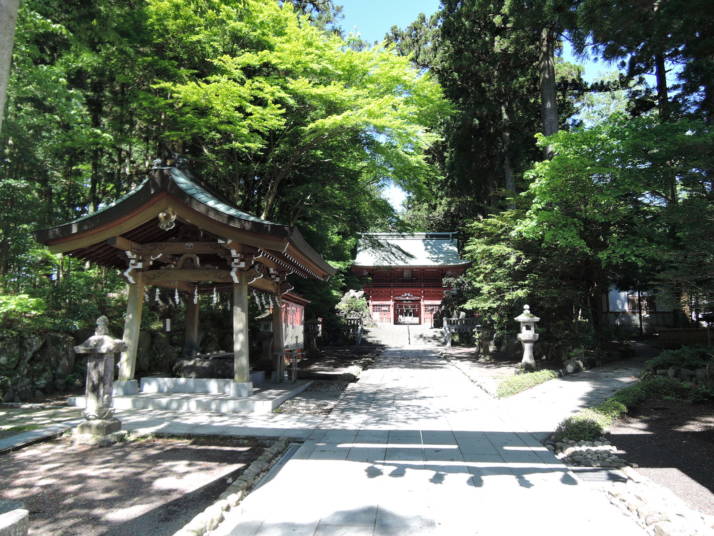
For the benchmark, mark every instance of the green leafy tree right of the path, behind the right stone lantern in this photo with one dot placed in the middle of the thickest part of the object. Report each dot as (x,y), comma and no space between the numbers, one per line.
(599,210)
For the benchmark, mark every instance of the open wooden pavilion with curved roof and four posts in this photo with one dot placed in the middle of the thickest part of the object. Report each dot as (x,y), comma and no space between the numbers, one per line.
(173,232)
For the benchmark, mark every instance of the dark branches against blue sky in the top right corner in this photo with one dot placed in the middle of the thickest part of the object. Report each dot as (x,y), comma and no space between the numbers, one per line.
(648,37)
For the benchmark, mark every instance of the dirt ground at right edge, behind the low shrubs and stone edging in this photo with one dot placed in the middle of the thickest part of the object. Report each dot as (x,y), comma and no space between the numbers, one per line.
(672,442)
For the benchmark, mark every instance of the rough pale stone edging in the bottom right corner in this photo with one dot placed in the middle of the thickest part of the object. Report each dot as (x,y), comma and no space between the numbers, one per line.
(656,509)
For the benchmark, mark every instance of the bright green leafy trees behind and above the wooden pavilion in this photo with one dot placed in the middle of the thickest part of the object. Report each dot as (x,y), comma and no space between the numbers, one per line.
(272,107)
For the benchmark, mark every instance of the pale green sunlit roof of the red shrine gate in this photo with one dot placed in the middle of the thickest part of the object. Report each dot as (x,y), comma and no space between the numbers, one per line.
(408,249)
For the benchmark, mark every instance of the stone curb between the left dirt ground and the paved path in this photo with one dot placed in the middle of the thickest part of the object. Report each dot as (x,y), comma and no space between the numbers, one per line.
(213,515)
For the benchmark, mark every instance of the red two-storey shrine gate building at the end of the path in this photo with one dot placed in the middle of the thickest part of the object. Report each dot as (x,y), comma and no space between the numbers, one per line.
(404,273)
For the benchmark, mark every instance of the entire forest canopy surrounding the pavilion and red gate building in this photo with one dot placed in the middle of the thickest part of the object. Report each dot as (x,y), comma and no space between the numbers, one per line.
(559,188)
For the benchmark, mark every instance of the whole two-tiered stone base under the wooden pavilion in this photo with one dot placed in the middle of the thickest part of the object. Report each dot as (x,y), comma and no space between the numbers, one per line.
(203,395)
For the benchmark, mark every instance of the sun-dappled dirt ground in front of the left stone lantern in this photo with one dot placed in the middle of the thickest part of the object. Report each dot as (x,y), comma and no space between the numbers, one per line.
(139,487)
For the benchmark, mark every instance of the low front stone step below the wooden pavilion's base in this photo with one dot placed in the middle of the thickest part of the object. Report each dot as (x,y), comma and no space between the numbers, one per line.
(262,401)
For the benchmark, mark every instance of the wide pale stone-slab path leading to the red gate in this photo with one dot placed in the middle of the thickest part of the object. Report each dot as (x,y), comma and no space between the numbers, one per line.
(413,448)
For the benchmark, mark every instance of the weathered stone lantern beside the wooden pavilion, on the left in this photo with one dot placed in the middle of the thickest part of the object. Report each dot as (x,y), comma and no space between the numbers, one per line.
(98,413)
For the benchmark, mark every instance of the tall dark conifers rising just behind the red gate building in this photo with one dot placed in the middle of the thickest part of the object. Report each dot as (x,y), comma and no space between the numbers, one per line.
(486,55)
